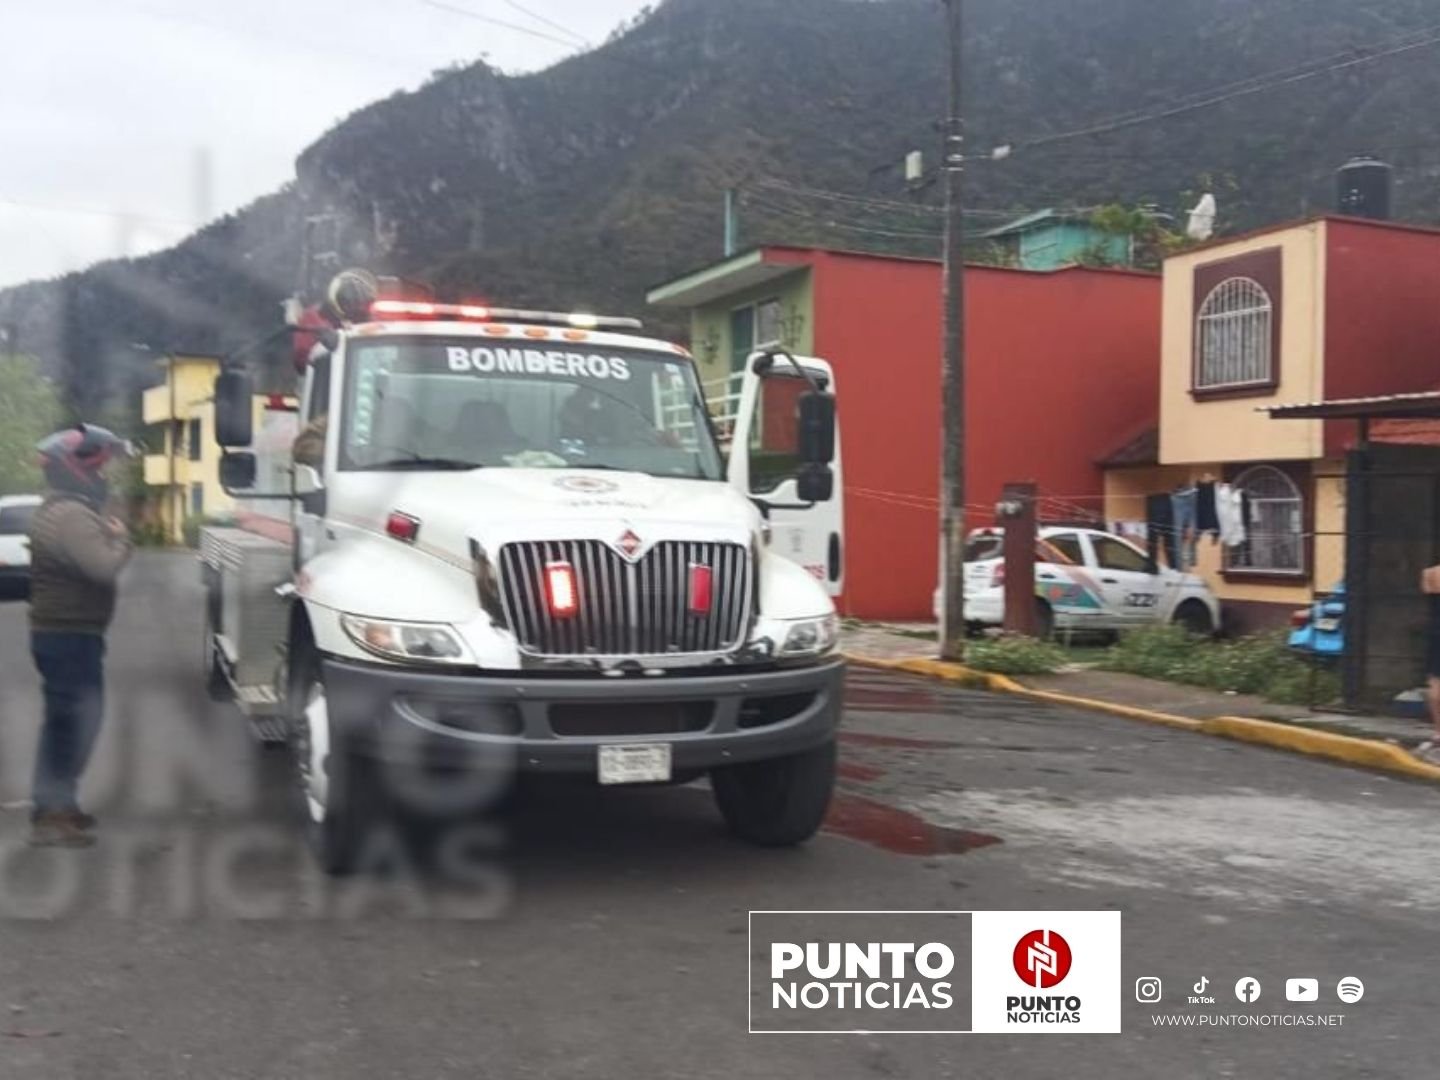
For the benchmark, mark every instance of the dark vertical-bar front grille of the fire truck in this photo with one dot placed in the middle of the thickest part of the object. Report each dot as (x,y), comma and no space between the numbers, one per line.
(627,610)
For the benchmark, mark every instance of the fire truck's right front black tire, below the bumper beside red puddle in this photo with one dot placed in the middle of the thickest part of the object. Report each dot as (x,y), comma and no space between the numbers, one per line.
(780,803)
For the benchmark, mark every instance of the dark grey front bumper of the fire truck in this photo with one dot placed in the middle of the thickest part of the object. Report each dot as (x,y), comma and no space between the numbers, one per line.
(557,725)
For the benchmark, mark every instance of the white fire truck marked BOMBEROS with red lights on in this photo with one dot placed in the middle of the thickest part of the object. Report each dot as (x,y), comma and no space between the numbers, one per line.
(510,542)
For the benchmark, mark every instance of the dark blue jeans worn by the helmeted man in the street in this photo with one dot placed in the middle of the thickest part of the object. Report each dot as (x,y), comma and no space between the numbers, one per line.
(73,667)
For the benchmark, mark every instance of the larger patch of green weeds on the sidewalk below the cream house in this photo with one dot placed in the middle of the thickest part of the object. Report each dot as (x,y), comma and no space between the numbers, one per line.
(1259,665)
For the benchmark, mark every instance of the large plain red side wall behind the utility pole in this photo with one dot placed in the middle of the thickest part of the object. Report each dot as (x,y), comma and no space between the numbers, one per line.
(1062,368)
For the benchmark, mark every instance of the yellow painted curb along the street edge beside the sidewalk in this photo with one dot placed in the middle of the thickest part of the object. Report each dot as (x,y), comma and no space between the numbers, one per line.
(1370,754)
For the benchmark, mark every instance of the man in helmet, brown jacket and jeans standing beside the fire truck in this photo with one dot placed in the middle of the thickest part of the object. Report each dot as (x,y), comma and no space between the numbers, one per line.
(77,554)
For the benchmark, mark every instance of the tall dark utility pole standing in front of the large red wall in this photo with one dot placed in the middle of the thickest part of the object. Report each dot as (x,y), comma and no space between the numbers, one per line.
(953,382)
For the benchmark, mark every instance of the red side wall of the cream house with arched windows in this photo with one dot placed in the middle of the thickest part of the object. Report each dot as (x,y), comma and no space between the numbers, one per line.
(1382,315)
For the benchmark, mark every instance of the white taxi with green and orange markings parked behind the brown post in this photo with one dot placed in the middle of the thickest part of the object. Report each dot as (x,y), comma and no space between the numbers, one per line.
(1086,580)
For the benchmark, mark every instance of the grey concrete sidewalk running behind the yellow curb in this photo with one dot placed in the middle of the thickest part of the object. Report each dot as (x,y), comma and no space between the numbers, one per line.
(908,642)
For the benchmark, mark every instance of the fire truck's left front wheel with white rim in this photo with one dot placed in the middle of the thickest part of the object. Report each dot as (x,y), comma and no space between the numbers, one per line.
(339,790)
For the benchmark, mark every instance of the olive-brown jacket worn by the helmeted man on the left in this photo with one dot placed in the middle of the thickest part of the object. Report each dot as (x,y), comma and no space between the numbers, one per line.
(74,564)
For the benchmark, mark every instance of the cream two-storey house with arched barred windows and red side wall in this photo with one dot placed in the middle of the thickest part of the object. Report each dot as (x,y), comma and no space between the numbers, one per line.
(1326,309)
